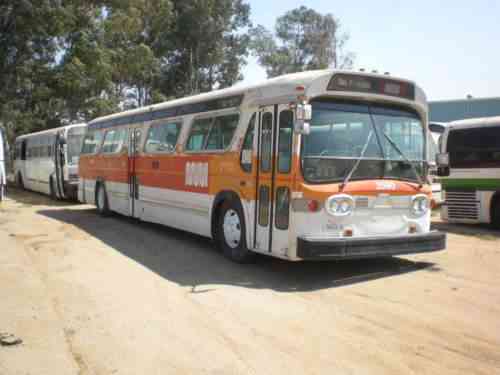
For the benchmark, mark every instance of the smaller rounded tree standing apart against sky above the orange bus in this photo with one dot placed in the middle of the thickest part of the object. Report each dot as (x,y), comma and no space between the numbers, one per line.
(304,40)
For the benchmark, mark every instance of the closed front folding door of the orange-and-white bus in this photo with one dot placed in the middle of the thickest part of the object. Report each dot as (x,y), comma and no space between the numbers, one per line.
(275,136)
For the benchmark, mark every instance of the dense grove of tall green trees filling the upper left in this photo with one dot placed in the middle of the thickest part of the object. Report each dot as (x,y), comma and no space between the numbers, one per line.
(72,60)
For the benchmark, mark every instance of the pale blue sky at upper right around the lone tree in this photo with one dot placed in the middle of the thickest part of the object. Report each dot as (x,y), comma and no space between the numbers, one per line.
(449,48)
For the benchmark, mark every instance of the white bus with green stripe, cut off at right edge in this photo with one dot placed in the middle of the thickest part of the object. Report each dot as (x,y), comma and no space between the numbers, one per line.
(469,166)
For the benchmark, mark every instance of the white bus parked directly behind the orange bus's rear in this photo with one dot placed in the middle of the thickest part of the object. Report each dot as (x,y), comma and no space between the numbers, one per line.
(47,161)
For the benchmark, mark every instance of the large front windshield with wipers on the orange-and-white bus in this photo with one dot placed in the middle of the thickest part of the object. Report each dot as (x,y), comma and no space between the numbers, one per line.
(340,132)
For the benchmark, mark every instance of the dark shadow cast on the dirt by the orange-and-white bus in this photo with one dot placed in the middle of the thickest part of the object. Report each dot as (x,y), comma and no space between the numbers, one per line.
(192,261)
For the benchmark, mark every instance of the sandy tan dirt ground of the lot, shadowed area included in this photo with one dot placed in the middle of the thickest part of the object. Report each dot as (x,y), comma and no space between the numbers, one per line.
(92,295)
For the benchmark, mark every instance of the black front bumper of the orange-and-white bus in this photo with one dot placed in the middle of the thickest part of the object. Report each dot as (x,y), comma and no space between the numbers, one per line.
(314,248)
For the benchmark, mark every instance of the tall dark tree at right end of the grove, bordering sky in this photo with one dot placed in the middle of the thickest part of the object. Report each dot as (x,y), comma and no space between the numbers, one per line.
(209,49)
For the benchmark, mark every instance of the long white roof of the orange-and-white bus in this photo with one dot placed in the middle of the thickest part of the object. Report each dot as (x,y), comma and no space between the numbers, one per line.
(282,86)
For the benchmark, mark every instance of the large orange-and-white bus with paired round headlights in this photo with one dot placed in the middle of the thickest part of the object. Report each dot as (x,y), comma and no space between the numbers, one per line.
(308,166)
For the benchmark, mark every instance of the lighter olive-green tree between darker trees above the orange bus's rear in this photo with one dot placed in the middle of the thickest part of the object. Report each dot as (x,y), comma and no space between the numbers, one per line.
(137,35)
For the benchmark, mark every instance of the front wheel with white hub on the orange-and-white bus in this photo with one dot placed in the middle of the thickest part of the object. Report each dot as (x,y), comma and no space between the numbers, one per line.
(231,233)
